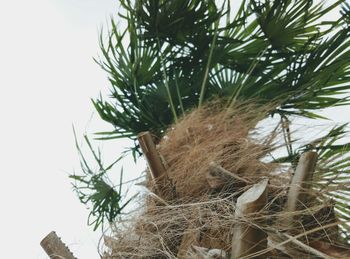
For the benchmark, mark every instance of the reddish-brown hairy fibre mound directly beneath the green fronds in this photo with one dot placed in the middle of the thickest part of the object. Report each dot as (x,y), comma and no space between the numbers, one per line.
(213,134)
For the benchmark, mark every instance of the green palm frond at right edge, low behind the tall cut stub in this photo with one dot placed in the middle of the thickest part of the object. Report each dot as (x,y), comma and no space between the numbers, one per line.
(331,178)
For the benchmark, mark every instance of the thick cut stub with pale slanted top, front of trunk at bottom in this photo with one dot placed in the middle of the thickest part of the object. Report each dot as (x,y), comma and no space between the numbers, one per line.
(248,239)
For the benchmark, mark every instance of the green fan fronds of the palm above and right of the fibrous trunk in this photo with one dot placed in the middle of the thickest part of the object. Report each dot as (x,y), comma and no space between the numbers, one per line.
(176,56)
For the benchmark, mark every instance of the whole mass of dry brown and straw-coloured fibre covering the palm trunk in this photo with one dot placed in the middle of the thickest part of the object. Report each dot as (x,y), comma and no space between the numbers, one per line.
(197,210)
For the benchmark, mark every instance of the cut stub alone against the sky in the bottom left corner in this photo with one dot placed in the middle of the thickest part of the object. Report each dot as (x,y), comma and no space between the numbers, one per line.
(55,248)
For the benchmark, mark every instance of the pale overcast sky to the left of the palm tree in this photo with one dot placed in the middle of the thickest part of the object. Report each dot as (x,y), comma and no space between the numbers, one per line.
(47,77)
